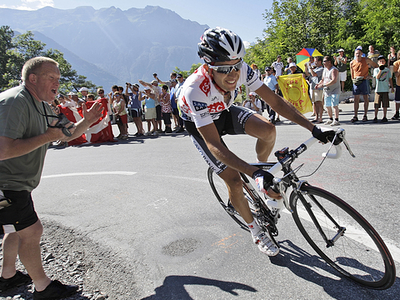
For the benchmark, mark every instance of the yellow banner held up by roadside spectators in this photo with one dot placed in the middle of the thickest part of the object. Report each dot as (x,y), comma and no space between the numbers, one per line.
(295,89)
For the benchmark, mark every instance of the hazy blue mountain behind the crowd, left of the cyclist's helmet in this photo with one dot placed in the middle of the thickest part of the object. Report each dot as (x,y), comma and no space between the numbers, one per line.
(111,46)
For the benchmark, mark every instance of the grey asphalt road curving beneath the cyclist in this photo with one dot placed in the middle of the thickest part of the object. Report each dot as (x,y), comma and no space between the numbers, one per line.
(148,201)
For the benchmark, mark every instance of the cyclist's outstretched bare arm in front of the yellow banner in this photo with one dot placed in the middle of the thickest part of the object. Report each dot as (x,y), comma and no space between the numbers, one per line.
(283,107)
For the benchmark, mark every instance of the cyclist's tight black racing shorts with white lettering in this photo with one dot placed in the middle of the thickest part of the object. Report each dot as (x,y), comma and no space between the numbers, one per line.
(229,122)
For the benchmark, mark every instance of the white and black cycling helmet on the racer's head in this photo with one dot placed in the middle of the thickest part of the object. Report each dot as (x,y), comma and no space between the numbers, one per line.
(220,44)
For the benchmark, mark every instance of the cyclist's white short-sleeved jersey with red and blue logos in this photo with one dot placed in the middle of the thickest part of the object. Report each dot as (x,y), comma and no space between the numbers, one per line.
(202,103)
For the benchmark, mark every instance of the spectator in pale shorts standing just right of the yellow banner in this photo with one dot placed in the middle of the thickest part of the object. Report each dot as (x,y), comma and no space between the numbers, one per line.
(317,93)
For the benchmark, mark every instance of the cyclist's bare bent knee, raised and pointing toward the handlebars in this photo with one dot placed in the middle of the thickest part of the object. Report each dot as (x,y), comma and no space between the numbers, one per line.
(265,132)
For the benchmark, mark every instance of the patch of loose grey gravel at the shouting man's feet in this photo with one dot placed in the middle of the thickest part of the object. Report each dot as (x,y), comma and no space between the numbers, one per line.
(72,258)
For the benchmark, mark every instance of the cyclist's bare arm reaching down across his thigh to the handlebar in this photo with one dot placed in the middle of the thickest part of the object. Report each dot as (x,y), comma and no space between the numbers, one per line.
(213,140)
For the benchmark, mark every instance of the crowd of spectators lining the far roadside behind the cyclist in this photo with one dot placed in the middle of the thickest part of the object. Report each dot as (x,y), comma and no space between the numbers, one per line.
(152,106)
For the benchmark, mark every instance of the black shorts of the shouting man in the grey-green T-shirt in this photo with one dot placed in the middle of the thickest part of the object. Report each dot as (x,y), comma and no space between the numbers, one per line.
(20,214)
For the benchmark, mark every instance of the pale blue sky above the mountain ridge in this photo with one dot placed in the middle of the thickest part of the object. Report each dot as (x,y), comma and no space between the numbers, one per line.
(244,17)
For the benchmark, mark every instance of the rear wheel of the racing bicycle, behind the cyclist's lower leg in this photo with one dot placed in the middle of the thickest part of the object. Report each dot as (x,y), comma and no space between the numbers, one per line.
(220,190)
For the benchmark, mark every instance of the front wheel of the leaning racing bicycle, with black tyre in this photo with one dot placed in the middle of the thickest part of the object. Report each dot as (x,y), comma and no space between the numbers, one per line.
(359,253)
